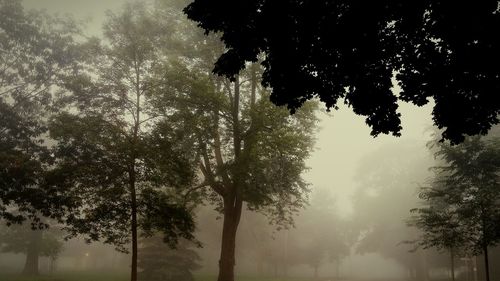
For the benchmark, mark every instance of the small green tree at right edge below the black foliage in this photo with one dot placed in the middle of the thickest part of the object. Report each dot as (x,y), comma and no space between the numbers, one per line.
(469,194)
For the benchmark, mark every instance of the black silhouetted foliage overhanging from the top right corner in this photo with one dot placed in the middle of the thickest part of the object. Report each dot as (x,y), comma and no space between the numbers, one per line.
(352,49)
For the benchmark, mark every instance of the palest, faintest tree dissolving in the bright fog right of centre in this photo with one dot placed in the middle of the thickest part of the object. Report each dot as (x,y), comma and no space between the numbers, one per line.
(385,193)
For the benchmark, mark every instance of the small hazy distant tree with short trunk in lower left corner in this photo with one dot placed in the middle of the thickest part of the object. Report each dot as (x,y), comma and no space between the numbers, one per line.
(34,243)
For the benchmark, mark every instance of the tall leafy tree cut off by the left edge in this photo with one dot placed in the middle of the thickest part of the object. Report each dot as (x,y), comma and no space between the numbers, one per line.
(37,52)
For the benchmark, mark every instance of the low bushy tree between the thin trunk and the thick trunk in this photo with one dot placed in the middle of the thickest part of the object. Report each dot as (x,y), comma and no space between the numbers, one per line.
(159,262)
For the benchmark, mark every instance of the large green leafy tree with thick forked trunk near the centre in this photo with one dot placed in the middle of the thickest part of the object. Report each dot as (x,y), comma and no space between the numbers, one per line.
(249,151)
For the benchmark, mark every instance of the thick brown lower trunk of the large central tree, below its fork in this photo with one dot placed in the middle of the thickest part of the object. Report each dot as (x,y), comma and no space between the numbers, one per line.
(232,214)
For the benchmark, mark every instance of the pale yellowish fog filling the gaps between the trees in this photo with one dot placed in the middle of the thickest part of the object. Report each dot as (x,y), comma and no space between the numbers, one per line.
(354,227)
